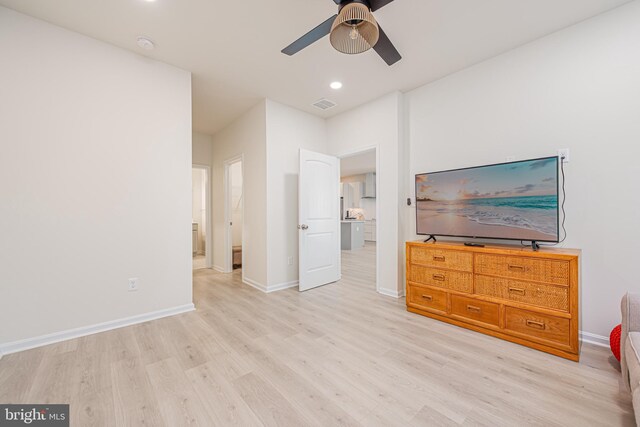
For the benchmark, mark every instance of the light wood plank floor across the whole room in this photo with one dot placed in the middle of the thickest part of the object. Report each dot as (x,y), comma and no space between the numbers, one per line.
(337,355)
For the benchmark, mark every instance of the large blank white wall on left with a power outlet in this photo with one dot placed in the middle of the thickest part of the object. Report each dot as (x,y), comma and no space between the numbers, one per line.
(95,178)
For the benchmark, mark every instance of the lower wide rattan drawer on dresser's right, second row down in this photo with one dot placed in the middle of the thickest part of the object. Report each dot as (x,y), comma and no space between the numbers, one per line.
(539,294)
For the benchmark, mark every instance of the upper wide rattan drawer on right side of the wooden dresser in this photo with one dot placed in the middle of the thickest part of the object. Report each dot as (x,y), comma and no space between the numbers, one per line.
(537,270)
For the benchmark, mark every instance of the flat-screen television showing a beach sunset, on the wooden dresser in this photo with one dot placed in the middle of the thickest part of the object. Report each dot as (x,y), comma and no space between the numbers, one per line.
(515,201)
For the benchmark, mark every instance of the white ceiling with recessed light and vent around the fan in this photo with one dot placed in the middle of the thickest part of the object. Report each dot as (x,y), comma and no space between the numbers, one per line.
(232,47)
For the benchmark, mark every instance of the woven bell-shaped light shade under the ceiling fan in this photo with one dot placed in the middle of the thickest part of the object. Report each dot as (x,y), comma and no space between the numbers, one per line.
(355,30)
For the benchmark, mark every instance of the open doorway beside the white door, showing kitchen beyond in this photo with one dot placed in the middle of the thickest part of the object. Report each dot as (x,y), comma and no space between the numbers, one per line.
(358,215)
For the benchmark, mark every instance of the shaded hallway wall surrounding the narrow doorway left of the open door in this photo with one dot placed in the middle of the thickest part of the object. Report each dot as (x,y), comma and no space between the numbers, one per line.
(246,137)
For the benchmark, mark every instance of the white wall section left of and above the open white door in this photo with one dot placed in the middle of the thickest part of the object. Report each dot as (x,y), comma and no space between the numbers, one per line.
(288,131)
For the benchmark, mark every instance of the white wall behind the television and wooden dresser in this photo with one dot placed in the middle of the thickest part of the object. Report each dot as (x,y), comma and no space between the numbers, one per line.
(578,88)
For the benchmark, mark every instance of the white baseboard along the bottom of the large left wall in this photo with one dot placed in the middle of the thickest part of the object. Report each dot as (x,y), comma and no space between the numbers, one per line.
(29,343)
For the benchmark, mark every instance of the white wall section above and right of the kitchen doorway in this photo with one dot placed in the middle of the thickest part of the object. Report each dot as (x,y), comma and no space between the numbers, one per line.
(378,124)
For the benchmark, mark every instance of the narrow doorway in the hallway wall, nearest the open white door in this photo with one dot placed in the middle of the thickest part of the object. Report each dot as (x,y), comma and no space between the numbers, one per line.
(234,213)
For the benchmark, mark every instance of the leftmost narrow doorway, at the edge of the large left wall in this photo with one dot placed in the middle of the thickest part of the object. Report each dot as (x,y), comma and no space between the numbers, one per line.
(200,217)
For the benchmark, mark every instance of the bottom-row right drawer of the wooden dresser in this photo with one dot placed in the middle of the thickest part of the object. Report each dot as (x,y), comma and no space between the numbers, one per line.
(538,326)
